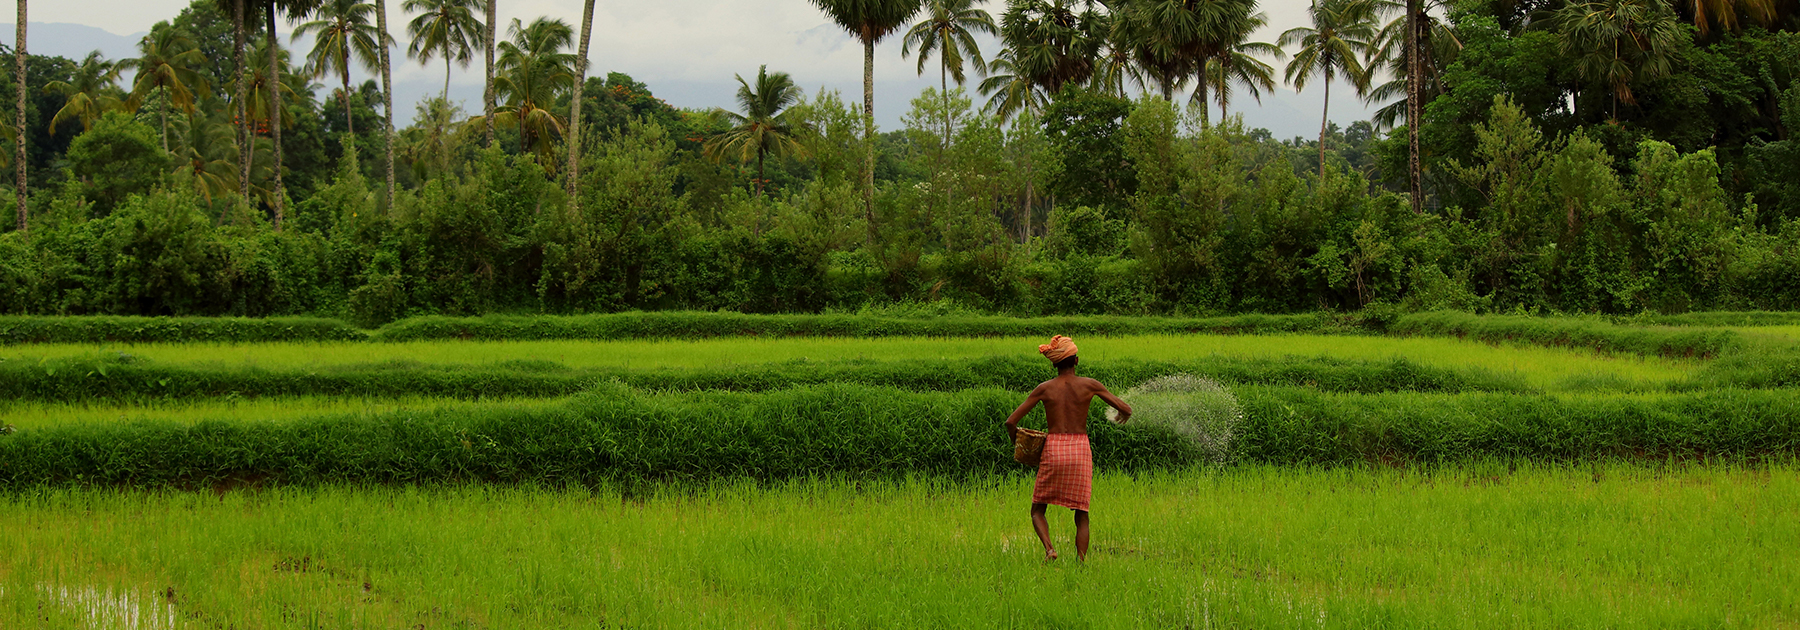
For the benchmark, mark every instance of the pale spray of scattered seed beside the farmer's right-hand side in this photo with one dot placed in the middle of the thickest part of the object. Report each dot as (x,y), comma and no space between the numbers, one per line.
(1194,408)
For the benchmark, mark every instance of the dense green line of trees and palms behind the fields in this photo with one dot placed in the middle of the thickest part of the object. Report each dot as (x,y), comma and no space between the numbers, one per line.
(1561,163)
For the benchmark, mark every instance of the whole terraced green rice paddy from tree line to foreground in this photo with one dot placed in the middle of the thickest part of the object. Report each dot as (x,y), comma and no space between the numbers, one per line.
(1372,481)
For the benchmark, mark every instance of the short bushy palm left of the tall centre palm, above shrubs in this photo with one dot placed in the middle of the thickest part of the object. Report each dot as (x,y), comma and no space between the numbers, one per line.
(766,127)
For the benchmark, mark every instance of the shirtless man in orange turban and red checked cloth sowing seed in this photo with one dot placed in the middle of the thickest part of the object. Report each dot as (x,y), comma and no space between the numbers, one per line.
(1065,474)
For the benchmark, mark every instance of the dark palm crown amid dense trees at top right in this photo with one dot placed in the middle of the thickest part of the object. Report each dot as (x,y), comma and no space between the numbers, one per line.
(1619,42)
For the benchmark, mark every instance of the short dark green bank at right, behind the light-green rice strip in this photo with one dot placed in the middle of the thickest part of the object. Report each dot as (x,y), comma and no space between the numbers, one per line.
(1599,336)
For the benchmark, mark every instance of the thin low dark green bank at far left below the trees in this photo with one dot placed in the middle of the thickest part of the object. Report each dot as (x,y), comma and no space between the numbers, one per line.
(172,330)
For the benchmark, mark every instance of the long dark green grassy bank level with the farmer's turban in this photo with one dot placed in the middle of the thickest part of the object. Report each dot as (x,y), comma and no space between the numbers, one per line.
(127,379)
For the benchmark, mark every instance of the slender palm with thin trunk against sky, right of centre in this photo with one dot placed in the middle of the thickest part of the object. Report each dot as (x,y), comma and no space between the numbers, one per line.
(1342,33)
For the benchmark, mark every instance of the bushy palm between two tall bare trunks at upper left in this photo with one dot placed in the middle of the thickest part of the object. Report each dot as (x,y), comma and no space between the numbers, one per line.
(534,71)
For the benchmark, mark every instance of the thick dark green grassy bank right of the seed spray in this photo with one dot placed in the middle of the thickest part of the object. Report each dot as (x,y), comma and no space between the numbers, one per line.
(1288,426)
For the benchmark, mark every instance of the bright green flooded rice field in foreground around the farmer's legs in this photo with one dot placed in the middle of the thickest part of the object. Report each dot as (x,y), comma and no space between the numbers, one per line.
(1477,546)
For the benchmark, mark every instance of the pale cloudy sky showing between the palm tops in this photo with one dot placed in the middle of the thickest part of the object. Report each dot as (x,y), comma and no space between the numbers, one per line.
(687,51)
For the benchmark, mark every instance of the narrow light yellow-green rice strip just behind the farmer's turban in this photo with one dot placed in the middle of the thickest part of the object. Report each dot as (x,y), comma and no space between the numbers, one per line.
(1543,368)
